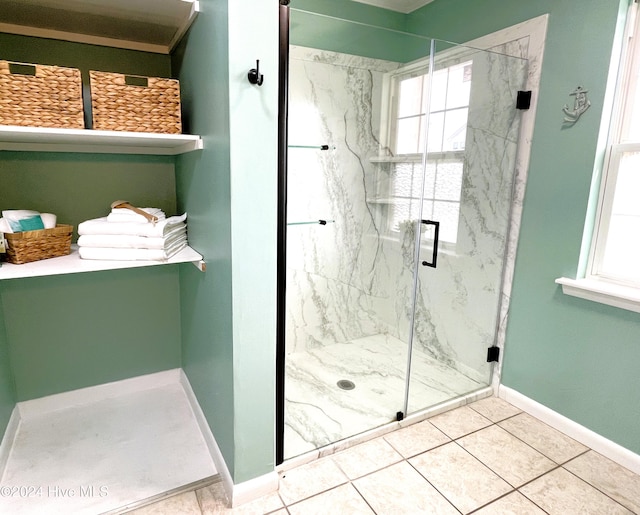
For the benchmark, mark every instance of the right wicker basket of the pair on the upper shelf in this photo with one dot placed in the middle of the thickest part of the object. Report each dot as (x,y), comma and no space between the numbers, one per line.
(119,105)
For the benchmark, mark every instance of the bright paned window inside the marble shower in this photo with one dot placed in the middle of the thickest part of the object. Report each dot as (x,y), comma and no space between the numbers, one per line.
(448,105)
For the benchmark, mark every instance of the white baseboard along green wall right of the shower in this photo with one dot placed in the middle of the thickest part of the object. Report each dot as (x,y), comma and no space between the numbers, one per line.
(585,436)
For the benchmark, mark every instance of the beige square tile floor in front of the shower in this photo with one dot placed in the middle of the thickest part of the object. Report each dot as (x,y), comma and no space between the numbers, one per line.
(484,458)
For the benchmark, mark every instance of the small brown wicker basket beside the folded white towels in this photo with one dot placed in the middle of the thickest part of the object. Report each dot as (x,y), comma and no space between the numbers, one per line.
(28,246)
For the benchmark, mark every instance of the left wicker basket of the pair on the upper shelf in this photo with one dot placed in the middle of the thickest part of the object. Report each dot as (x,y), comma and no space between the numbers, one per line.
(35,95)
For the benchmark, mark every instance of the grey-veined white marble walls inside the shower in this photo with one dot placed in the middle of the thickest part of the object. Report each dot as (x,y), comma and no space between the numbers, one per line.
(354,277)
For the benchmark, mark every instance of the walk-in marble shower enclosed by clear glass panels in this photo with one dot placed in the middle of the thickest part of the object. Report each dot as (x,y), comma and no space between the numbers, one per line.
(400,157)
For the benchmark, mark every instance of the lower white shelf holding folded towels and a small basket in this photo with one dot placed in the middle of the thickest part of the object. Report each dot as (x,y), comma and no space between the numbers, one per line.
(72,264)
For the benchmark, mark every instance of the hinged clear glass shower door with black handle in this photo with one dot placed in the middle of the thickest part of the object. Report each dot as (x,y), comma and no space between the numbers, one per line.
(470,163)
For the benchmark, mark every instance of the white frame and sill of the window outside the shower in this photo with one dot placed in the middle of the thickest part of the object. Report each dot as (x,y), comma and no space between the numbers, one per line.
(594,284)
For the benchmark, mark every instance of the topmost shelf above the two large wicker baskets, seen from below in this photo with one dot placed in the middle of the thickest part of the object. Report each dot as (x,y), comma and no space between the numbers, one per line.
(145,25)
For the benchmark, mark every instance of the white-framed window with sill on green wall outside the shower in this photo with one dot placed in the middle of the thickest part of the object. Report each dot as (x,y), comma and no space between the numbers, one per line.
(612,274)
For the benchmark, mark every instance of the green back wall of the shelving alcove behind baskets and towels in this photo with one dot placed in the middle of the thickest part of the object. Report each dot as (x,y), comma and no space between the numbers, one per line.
(69,332)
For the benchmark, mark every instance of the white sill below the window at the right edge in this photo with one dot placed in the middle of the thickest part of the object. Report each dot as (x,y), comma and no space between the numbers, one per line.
(617,295)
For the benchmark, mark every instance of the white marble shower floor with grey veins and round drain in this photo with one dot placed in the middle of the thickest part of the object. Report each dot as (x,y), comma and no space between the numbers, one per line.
(318,412)
